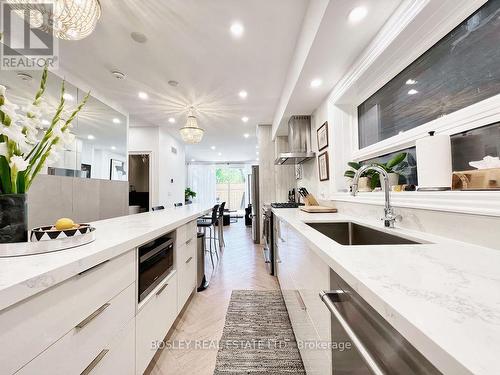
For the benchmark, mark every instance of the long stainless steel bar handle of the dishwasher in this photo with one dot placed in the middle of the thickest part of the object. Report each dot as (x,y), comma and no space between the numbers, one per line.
(365,354)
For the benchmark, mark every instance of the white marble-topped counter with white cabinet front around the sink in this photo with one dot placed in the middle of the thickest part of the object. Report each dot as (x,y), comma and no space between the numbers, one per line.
(433,293)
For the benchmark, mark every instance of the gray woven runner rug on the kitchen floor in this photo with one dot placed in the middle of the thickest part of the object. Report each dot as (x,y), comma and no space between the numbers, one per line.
(258,336)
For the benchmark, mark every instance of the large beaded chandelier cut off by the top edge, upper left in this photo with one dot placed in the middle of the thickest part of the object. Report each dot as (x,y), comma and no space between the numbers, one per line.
(65,19)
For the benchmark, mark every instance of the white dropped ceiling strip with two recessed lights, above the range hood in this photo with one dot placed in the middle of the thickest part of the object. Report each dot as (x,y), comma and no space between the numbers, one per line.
(336,46)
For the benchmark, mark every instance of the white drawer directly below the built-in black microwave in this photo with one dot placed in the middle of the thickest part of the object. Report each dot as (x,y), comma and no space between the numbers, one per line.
(154,320)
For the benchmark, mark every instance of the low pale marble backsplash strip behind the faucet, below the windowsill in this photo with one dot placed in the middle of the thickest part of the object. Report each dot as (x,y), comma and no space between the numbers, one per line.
(475,229)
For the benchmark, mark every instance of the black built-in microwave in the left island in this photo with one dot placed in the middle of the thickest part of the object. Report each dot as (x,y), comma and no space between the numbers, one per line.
(156,261)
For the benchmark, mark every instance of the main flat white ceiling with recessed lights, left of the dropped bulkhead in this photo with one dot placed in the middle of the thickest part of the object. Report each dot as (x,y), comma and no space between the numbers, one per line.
(189,41)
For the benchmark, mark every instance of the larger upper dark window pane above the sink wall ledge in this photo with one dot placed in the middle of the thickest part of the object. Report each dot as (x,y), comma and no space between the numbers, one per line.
(461,69)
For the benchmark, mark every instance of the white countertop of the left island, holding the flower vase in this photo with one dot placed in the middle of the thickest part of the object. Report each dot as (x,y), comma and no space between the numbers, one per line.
(14,291)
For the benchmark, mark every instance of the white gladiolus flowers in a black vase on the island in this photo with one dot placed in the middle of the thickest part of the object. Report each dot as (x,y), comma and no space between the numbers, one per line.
(25,148)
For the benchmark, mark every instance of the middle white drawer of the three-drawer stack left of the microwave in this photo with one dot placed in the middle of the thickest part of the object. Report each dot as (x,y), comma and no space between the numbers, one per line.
(78,348)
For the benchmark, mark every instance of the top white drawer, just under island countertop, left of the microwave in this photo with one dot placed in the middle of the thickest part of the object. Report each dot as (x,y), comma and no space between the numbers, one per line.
(31,326)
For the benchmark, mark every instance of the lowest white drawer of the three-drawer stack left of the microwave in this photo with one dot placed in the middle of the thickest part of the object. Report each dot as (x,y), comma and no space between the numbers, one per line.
(119,356)
